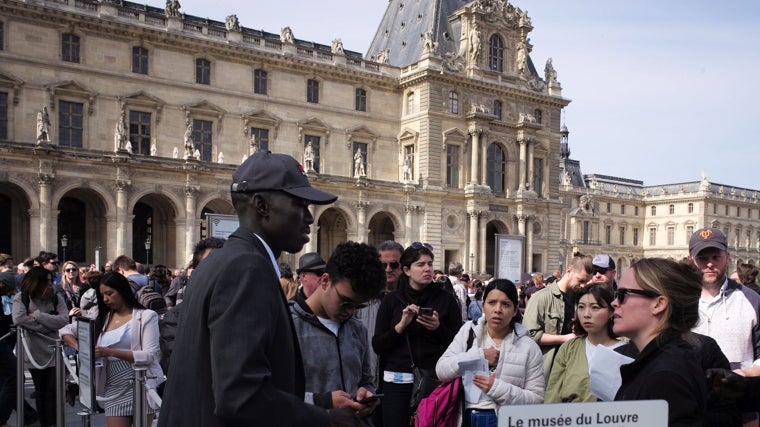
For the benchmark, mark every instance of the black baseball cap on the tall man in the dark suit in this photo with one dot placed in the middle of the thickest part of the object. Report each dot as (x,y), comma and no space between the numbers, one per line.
(267,171)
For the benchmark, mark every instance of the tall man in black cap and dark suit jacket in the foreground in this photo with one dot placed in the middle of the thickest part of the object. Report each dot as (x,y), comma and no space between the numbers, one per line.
(236,359)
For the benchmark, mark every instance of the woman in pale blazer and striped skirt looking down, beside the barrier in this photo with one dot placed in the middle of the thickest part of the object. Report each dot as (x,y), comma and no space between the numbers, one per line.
(128,335)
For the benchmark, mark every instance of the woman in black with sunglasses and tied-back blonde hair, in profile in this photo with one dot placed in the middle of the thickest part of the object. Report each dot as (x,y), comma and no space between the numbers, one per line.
(656,306)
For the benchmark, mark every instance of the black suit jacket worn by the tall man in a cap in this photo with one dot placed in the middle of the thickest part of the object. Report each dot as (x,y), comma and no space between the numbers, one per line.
(236,360)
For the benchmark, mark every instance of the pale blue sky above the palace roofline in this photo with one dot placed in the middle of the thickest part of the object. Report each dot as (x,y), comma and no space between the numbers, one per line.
(661,91)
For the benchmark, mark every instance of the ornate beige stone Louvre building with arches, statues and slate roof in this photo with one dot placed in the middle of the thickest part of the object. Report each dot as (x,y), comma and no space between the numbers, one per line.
(122,123)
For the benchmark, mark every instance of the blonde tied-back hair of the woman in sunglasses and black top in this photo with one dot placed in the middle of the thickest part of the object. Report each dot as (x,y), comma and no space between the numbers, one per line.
(680,283)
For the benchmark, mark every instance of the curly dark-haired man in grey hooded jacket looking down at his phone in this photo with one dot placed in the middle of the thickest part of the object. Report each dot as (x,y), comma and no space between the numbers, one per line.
(337,365)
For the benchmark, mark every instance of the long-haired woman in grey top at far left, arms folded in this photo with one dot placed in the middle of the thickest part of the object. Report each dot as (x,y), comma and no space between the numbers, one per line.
(38,308)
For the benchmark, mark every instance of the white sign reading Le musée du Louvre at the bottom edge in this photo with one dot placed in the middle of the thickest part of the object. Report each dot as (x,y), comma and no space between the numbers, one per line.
(632,413)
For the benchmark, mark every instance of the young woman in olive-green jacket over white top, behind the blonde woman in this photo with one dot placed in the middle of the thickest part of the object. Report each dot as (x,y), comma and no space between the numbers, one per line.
(569,378)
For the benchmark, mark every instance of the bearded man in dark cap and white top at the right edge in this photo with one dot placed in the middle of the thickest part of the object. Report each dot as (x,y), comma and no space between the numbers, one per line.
(728,311)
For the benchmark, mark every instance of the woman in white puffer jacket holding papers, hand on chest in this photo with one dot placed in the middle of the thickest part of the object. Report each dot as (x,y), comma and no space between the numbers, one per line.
(515,366)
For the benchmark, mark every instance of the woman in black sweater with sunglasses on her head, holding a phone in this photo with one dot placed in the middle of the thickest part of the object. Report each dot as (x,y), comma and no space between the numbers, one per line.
(414,326)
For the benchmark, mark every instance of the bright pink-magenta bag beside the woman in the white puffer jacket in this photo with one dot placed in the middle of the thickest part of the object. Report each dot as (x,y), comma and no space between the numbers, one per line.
(444,405)
